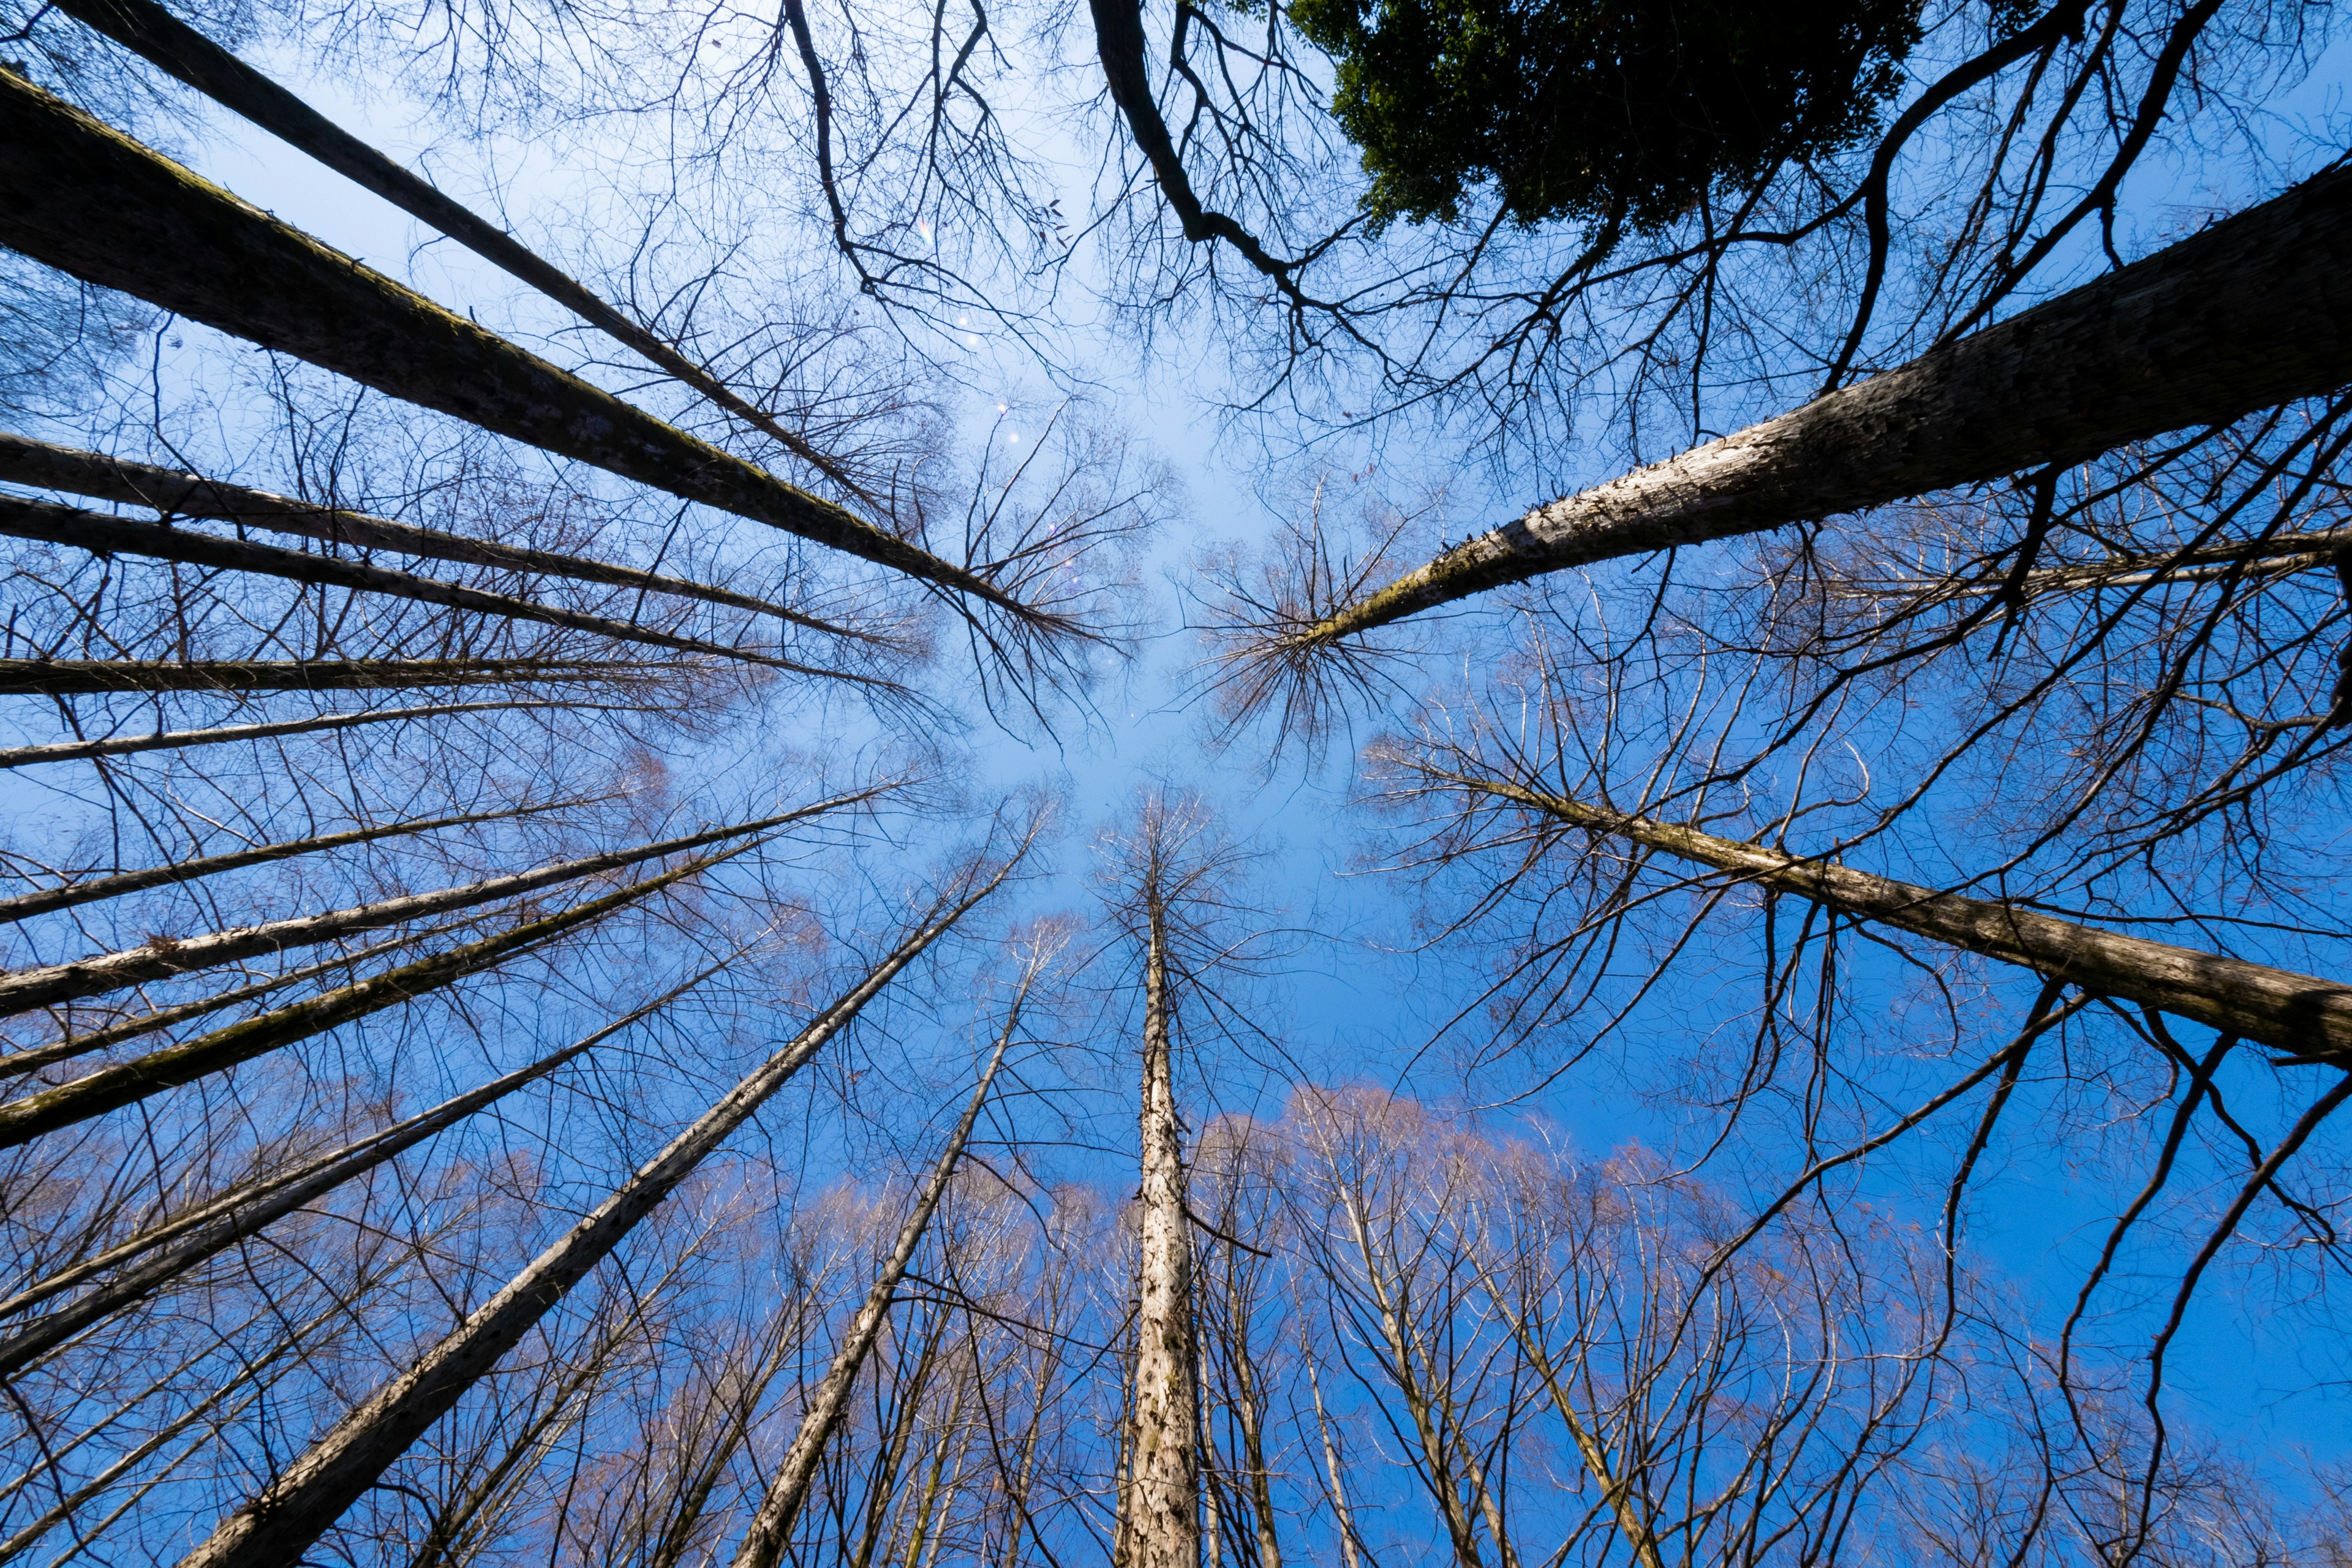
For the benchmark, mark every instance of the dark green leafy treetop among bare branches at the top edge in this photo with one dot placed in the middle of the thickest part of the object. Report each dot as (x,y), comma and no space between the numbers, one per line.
(1619,112)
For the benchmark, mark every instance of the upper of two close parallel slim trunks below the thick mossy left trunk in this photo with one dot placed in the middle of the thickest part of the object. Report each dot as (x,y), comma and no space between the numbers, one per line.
(185,495)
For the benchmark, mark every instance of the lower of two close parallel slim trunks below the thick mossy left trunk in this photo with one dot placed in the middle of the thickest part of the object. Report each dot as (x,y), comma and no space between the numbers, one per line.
(109,535)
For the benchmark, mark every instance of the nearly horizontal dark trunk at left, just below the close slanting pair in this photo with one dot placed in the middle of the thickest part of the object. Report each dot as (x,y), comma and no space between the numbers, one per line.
(88,676)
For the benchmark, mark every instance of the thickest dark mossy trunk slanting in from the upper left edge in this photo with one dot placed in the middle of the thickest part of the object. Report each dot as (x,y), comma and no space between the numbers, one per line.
(88,201)
